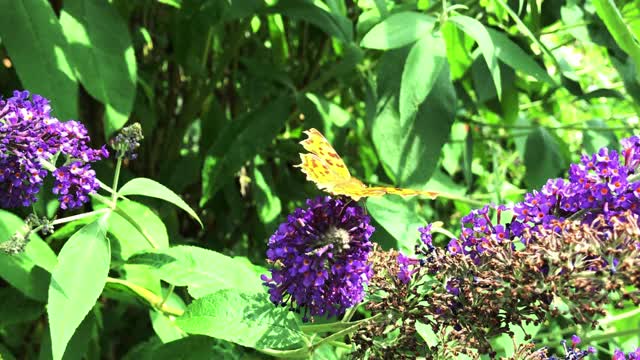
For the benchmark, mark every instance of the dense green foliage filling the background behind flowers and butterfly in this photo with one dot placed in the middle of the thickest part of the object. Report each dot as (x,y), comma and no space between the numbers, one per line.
(480,100)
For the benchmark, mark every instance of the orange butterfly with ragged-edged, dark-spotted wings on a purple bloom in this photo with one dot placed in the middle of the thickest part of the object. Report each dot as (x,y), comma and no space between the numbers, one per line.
(324,167)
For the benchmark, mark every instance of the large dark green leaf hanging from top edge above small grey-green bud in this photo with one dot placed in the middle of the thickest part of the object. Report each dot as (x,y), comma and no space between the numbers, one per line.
(102,55)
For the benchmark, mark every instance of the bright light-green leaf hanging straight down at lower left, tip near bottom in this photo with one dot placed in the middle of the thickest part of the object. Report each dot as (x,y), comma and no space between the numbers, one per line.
(76,282)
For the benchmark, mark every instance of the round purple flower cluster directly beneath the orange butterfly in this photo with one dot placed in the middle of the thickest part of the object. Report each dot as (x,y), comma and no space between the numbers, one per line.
(320,258)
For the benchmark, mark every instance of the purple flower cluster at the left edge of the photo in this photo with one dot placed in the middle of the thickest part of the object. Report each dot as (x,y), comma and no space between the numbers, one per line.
(29,138)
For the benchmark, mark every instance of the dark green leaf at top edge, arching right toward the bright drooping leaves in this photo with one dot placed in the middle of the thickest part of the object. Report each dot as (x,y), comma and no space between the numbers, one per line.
(318,14)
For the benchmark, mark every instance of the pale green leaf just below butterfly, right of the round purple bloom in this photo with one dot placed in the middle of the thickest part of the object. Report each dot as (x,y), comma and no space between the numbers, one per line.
(399,217)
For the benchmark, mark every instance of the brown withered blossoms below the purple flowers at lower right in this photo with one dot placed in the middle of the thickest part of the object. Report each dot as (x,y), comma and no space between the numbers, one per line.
(466,302)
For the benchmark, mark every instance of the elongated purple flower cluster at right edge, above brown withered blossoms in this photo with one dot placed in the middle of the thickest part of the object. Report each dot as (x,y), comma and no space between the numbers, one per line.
(606,183)
